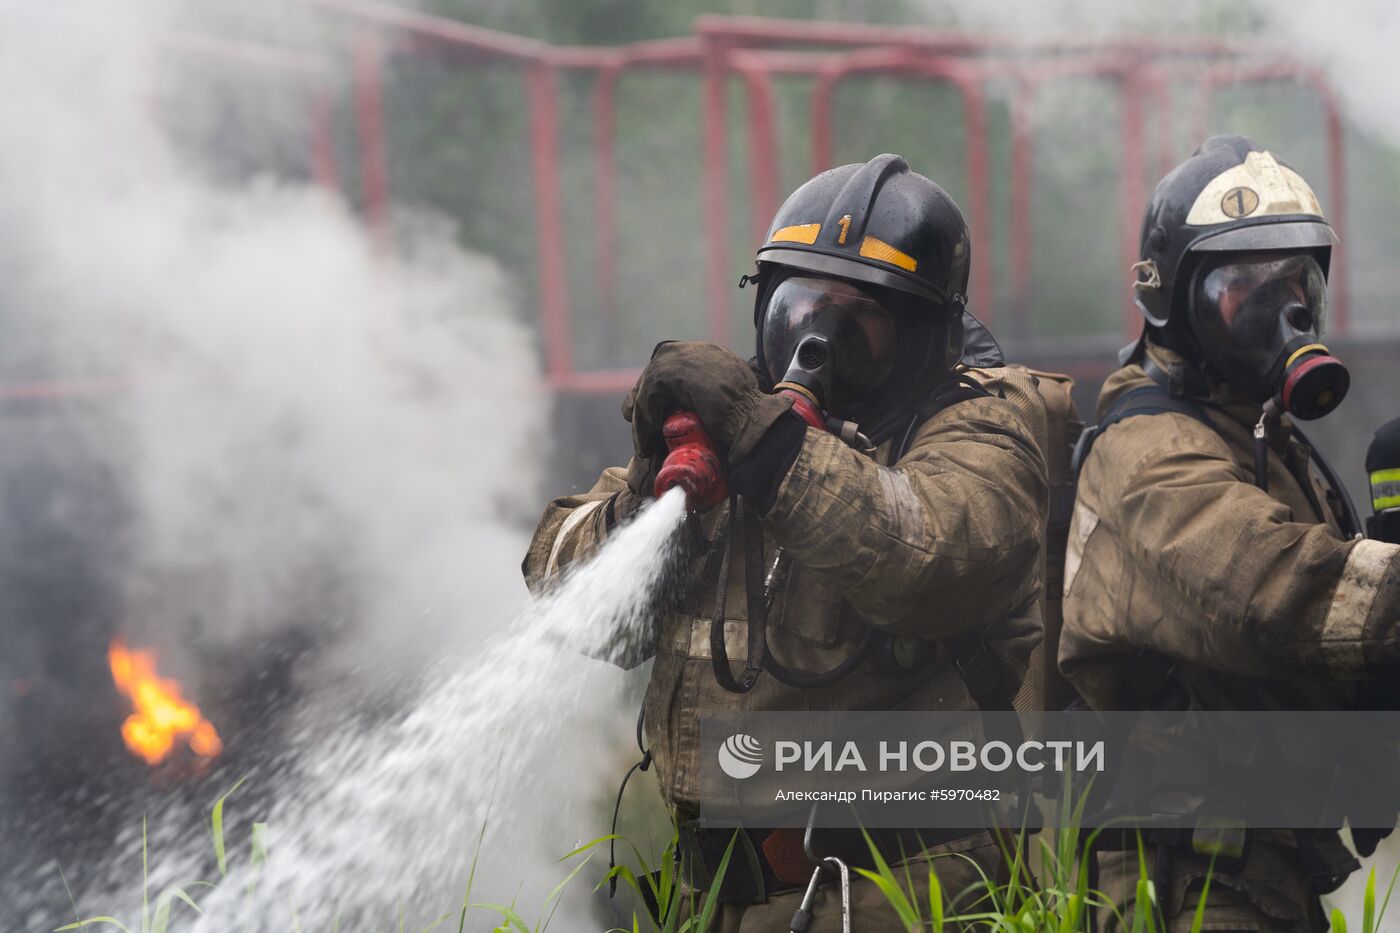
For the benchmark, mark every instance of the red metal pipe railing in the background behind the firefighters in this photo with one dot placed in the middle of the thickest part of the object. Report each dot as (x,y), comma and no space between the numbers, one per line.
(754,51)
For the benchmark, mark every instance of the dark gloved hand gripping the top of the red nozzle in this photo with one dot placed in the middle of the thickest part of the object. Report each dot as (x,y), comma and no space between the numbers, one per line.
(713,383)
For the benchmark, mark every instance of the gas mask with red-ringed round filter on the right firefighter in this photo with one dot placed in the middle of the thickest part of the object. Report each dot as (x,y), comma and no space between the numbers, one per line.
(1258,319)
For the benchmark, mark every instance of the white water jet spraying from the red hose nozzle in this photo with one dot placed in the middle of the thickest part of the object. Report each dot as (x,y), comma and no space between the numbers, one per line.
(393,816)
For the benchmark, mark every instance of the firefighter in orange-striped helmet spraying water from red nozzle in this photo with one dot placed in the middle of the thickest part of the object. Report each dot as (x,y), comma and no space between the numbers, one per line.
(915,534)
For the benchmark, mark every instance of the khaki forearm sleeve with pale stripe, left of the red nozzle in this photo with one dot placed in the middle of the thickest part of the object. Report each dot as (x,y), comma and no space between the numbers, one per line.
(575,527)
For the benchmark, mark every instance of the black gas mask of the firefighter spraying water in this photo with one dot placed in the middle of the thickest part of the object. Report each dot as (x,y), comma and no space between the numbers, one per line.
(831,338)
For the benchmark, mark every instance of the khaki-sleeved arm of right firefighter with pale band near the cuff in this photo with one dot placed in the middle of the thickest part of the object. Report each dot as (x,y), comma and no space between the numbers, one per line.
(1256,593)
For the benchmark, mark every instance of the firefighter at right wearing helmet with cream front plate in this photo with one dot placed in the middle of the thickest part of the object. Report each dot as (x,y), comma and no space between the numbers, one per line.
(1214,561)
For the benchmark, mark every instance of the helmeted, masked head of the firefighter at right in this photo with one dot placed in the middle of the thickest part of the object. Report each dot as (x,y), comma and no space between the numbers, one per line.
(1234,267)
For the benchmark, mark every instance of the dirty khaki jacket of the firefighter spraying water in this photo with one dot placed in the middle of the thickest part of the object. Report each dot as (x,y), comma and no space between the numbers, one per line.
(944,543)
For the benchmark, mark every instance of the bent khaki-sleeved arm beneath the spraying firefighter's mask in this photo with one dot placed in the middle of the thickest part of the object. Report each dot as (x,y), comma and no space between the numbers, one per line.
(944,543)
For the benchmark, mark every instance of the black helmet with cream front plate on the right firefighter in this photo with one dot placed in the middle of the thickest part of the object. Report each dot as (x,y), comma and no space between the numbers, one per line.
(1228,197)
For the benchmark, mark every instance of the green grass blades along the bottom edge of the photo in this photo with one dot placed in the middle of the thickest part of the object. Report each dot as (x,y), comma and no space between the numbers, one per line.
(1046,890)
